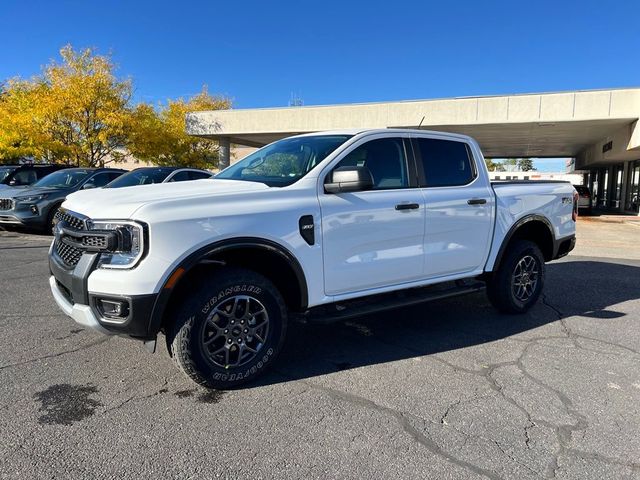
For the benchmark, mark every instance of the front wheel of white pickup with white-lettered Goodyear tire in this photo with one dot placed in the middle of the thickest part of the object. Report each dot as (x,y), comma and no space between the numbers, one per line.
(215,335)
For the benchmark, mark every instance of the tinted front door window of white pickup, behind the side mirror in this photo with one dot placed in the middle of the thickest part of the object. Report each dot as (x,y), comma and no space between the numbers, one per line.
(385,159)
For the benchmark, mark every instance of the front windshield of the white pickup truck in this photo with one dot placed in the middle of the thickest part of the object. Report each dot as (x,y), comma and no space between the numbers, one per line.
(284,162)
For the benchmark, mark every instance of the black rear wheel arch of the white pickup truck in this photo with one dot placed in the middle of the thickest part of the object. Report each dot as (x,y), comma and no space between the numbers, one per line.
(535,228)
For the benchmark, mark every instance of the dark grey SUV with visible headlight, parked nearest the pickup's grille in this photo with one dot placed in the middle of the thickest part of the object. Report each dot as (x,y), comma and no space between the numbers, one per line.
(36,206)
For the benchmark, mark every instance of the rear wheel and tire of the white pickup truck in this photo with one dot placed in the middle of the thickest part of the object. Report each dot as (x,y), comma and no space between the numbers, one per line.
(506,289)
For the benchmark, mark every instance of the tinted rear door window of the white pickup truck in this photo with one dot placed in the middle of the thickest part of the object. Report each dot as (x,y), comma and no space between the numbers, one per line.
(445,162)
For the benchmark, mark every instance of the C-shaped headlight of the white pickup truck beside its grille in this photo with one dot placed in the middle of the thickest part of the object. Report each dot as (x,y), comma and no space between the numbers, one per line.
(130,248)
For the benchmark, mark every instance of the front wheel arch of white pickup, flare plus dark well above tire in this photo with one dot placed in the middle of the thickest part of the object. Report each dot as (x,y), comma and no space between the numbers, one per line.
(263,256)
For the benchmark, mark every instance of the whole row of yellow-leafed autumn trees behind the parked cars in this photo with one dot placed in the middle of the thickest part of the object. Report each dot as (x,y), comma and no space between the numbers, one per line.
(78,112)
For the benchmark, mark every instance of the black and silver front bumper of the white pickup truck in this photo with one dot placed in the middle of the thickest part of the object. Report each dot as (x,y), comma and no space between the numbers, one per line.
(70,291)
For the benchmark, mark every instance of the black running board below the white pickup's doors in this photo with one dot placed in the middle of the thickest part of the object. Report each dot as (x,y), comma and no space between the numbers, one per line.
(377,303)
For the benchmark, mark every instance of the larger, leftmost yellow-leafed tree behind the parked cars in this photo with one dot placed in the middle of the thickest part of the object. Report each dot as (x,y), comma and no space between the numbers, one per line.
(75,112)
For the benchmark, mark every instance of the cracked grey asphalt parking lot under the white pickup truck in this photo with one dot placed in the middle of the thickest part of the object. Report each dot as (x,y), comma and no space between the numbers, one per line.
(445,390)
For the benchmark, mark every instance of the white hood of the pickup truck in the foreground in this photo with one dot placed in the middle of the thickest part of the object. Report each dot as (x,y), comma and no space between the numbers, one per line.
(121,203)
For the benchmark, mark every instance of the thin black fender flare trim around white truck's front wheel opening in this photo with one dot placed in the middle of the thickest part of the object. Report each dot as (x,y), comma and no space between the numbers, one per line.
(203,254)
